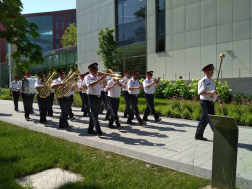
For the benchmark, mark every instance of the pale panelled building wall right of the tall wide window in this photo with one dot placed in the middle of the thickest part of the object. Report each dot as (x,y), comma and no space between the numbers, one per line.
(197,32)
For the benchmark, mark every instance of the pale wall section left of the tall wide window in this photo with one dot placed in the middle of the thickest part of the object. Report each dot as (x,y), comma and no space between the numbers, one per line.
(92,15)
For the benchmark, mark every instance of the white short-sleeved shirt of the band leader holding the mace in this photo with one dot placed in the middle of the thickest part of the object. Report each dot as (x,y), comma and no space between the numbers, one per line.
(204,85)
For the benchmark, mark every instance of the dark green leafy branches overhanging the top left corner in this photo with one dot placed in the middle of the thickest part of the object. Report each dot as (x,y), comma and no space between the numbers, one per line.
(16,30)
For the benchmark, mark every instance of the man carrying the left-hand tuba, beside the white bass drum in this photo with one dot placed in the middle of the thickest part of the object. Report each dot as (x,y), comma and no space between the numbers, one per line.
(42,102)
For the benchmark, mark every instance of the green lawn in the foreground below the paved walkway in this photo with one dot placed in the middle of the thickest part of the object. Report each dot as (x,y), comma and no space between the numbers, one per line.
(24,152)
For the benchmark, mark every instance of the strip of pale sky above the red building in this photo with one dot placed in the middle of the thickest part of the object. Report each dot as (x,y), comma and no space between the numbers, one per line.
(36,6)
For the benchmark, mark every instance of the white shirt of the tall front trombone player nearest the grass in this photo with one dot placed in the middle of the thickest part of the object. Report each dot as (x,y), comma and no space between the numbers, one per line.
(95,90)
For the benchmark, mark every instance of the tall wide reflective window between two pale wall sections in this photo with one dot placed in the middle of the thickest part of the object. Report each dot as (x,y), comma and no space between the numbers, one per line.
(131,34)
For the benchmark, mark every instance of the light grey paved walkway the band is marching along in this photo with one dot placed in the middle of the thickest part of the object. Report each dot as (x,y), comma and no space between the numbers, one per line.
(170,144)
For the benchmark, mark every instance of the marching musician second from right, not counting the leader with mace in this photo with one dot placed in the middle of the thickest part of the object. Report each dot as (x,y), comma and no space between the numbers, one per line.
(134,87)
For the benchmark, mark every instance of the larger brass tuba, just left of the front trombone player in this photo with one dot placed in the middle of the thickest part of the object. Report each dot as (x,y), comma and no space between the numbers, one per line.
(69,80)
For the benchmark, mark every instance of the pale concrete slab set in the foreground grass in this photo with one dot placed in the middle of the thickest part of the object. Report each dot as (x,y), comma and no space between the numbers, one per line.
(49,179)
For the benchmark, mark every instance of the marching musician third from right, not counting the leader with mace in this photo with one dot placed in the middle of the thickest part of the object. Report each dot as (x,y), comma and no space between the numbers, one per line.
(128,111)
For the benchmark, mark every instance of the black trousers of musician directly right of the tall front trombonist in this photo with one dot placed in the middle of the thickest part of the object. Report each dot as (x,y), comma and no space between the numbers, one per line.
(113,106)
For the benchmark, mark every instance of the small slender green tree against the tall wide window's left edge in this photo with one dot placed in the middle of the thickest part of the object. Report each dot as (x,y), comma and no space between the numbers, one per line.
(108,48)
